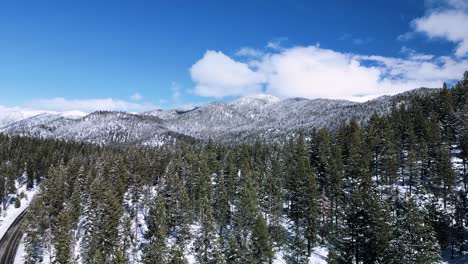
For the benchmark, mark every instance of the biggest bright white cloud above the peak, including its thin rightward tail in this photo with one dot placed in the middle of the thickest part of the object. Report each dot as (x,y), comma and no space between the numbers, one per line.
(313,72)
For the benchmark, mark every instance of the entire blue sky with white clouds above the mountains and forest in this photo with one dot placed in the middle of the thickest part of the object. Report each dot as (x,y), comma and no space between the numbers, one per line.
(137,55)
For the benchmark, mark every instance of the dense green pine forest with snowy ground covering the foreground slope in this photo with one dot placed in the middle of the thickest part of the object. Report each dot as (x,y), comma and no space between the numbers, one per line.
(391,190)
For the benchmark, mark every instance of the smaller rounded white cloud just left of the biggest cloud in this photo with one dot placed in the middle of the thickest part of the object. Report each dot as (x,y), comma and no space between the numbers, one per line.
(217,75)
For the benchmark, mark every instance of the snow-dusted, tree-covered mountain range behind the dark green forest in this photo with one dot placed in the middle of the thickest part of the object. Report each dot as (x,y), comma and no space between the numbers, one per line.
(245,119)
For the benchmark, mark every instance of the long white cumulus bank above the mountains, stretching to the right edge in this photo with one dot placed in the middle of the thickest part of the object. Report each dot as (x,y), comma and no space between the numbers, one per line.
(314,72)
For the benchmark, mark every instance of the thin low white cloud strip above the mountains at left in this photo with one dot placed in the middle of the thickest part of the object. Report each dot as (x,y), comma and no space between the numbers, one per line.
(88,105)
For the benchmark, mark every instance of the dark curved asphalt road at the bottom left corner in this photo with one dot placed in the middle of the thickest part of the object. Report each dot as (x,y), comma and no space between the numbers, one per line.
(11,240)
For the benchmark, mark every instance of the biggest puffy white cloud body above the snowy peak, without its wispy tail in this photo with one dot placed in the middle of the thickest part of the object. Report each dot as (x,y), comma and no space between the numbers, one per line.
(313,72)
